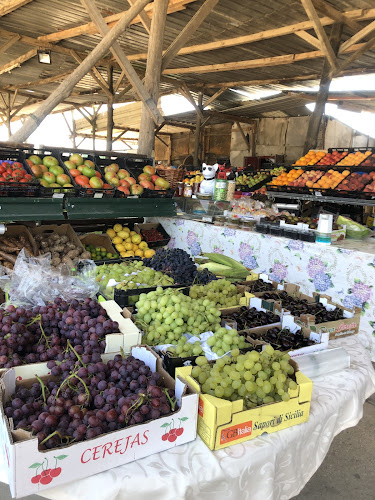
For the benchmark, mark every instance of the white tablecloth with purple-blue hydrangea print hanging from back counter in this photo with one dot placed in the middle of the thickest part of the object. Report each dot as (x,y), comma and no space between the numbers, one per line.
(344,270)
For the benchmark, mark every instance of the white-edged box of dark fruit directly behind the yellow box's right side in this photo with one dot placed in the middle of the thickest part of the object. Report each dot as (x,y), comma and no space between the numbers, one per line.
(288,321)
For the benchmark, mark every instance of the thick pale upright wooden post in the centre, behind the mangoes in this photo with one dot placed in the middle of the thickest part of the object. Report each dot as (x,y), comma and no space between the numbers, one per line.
(146,142)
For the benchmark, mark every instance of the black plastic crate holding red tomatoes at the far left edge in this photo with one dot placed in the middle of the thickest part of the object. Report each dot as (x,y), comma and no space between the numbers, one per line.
(17,189)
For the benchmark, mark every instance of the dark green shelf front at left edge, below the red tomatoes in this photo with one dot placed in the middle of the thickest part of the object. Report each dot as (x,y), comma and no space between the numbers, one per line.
(31,209)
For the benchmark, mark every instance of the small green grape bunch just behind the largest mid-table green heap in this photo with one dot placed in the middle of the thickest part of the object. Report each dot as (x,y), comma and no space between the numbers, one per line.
(222,292)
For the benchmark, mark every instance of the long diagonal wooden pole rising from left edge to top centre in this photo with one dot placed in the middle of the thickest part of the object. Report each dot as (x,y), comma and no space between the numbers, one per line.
(65,88)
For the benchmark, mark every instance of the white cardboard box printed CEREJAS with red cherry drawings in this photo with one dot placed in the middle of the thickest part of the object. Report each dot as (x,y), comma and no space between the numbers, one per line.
(85,458)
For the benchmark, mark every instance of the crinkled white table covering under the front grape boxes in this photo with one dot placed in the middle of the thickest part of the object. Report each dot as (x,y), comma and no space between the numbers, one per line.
(271,467)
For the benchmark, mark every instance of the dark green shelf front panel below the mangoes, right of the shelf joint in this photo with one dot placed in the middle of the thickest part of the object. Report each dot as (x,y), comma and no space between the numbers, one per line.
(107,208)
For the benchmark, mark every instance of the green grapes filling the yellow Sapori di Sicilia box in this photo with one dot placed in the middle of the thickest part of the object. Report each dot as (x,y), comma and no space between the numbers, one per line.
(257,378)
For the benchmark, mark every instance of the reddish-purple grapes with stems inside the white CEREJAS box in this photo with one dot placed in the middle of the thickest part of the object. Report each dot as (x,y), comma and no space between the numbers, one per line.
(87,398)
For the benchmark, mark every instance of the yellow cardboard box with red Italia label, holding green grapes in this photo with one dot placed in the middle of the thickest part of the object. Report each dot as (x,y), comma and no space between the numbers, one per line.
(222,423)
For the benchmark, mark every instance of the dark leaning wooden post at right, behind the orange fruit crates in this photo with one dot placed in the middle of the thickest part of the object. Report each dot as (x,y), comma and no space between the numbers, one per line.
(321,99)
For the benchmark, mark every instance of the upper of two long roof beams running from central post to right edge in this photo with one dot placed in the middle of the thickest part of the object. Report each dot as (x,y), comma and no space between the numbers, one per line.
(358,15)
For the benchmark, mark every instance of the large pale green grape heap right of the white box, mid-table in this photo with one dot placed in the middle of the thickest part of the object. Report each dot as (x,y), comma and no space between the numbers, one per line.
(166,314)
